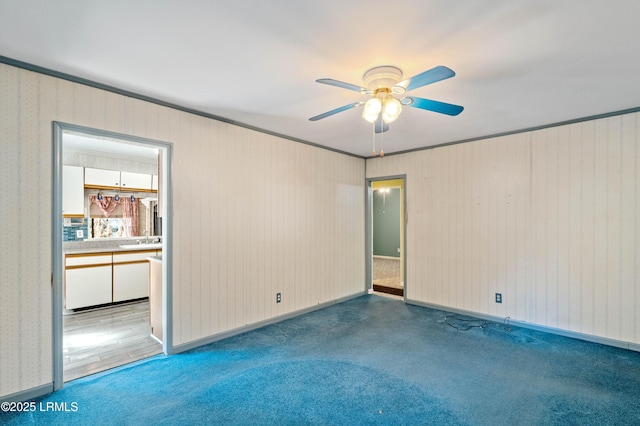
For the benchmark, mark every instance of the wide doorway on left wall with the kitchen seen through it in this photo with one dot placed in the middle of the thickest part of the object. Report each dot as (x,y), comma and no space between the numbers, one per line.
(112,236)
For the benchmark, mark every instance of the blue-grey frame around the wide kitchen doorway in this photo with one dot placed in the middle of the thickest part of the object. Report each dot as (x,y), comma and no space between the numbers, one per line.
(59,128)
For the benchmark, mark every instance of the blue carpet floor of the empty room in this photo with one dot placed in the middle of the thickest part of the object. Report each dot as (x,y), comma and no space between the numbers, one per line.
(371,360)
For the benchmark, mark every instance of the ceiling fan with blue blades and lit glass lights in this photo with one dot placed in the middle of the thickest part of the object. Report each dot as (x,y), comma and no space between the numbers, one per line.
(382,83)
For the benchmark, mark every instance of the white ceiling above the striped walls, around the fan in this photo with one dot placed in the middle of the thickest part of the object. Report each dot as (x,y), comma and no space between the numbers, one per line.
(519,64)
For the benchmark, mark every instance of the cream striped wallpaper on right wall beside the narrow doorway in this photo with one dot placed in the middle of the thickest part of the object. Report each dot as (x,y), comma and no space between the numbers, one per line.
(548,218)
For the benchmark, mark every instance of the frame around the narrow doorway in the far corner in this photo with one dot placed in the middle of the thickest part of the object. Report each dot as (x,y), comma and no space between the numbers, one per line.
(369,230)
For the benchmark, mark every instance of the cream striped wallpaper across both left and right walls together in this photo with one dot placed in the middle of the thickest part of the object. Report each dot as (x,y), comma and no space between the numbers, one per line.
(548,218)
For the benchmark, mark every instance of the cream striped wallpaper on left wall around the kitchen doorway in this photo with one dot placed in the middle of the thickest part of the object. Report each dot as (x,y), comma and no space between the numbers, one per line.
(253,214)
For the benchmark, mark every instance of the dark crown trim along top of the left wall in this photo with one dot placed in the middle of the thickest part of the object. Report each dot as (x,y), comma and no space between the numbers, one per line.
(86,82)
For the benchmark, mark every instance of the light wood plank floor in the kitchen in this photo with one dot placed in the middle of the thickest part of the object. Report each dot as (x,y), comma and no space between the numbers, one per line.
(105,338)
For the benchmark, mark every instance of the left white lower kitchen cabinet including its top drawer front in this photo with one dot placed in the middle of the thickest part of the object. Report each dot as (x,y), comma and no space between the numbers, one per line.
(88,280)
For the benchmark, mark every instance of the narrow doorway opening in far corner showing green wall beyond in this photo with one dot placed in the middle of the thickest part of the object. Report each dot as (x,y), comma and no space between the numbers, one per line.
(386,236)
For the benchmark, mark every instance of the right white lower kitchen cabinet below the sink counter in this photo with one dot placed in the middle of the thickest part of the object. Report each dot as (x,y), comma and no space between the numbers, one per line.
(131,275)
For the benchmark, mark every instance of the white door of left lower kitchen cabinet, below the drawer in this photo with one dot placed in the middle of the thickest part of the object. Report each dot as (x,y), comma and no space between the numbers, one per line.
(87,286)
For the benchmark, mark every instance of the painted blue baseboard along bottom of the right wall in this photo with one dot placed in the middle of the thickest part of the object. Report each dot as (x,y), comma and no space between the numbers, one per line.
(531,326)
